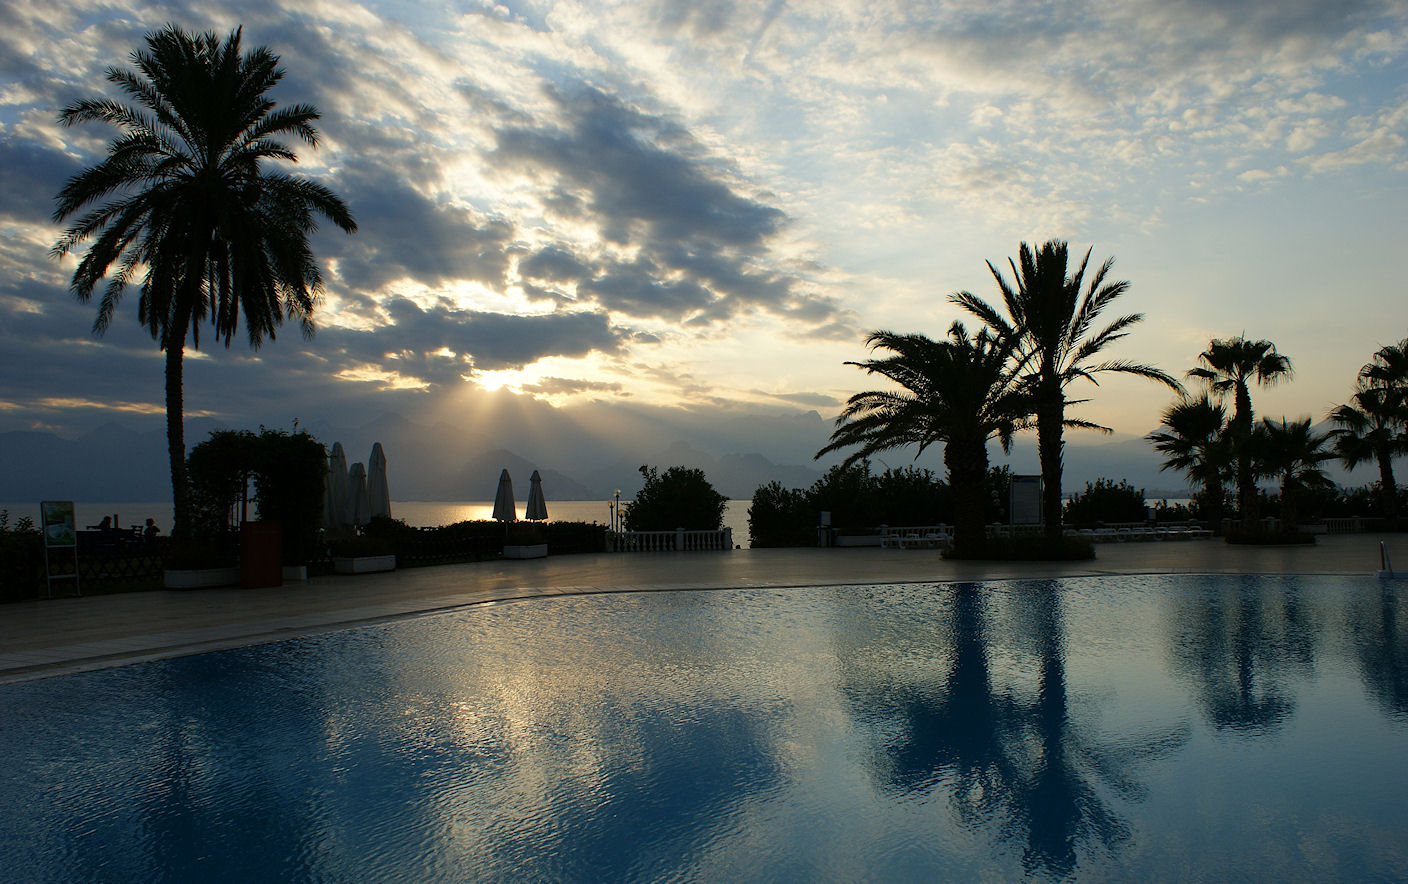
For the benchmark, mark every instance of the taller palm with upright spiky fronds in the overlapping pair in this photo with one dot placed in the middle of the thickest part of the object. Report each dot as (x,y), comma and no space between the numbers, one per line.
(1052,329)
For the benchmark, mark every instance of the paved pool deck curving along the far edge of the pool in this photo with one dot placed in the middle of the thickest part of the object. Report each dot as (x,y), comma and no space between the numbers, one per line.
(61,636)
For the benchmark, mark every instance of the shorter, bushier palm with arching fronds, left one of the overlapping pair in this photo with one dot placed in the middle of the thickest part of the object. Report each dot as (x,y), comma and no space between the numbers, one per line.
(961,392)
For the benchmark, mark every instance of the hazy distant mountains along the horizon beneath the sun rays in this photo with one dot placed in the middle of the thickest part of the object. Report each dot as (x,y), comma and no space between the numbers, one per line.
(581,455)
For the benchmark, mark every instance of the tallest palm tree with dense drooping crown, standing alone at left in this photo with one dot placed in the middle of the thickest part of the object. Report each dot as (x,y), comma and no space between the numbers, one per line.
(182,201)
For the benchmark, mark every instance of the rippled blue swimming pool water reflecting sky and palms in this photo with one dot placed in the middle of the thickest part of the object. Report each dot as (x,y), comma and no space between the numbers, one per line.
(1133,728)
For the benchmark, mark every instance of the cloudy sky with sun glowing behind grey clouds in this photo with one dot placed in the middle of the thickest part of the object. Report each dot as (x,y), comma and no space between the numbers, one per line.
(709,203)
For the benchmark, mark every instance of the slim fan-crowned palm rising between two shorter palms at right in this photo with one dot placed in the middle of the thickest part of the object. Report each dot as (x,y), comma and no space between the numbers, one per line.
(1231,367)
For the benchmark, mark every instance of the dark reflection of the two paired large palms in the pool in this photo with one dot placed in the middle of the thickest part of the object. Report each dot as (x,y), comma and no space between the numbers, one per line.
(1014,762)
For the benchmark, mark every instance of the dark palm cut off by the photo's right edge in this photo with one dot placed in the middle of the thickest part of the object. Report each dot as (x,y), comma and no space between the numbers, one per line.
(1374,426)
